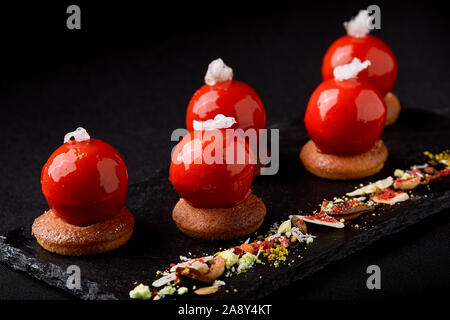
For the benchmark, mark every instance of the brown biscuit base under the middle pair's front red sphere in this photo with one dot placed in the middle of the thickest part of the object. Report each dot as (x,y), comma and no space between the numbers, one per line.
(220,223)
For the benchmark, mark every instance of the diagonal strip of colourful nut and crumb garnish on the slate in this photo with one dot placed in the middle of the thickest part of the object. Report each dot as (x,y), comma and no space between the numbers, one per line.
(209,272)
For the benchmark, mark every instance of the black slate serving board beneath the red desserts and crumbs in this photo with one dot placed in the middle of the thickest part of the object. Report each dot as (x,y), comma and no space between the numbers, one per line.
(157,242)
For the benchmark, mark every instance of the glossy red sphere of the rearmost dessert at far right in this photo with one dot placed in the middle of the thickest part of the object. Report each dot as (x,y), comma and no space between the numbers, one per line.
(383,69)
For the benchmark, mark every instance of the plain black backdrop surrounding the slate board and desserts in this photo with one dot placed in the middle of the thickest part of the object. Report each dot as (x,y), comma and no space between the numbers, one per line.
(127,77)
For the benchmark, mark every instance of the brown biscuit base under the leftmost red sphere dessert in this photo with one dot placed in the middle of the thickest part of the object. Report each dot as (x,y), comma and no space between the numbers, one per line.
(58,236)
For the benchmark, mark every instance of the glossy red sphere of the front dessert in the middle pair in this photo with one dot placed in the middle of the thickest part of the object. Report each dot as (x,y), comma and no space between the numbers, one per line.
(204,182)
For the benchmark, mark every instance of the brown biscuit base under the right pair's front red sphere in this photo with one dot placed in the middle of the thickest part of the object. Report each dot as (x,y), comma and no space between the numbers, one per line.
(336,167)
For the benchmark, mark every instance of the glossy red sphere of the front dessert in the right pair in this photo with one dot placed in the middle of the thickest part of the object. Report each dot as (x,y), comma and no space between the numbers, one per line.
(345,117)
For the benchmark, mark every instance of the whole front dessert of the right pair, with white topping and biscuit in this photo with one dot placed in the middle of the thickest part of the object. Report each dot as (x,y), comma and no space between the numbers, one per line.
(344,119)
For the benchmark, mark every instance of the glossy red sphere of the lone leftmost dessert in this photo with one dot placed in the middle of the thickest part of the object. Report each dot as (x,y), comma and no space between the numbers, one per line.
(85,182)
